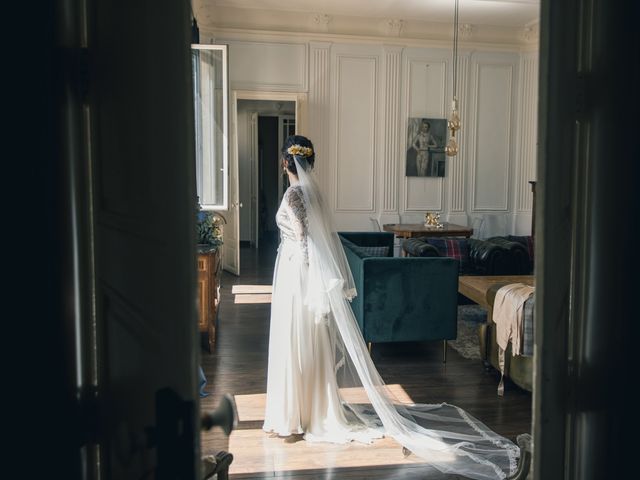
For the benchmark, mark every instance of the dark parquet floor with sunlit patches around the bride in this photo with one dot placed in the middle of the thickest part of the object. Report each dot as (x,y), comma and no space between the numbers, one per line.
(238,365)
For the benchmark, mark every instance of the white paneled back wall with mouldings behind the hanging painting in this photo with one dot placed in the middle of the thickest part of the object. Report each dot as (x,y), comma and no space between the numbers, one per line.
(360,97)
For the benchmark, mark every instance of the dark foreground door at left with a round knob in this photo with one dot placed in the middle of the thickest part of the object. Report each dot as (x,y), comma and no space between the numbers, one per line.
(141,115)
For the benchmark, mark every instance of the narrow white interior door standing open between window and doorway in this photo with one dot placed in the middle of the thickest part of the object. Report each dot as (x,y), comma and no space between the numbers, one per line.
(231,231)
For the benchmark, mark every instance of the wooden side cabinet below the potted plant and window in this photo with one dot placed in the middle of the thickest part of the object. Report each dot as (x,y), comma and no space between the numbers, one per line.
(208,294)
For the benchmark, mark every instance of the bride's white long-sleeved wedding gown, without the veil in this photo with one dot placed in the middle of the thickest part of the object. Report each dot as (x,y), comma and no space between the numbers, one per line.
(302,389)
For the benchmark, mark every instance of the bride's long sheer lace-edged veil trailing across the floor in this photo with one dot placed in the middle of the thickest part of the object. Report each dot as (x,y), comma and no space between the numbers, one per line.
(444,435)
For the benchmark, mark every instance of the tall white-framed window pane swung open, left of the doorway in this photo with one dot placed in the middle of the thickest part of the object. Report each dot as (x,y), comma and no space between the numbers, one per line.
(210,94)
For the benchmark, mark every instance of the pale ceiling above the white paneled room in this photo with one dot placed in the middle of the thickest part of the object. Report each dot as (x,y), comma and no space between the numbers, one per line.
(503,13)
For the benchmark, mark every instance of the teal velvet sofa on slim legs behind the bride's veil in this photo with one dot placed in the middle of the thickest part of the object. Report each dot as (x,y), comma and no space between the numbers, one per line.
(401,299)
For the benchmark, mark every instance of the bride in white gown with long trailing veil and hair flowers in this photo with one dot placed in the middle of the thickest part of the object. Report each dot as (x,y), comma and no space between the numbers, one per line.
(321,380)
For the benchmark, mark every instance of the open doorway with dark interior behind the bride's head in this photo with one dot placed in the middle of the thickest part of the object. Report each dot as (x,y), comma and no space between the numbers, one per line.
(262,127)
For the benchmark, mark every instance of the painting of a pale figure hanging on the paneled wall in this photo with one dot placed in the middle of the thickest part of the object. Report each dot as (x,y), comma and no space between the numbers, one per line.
(426,139)
